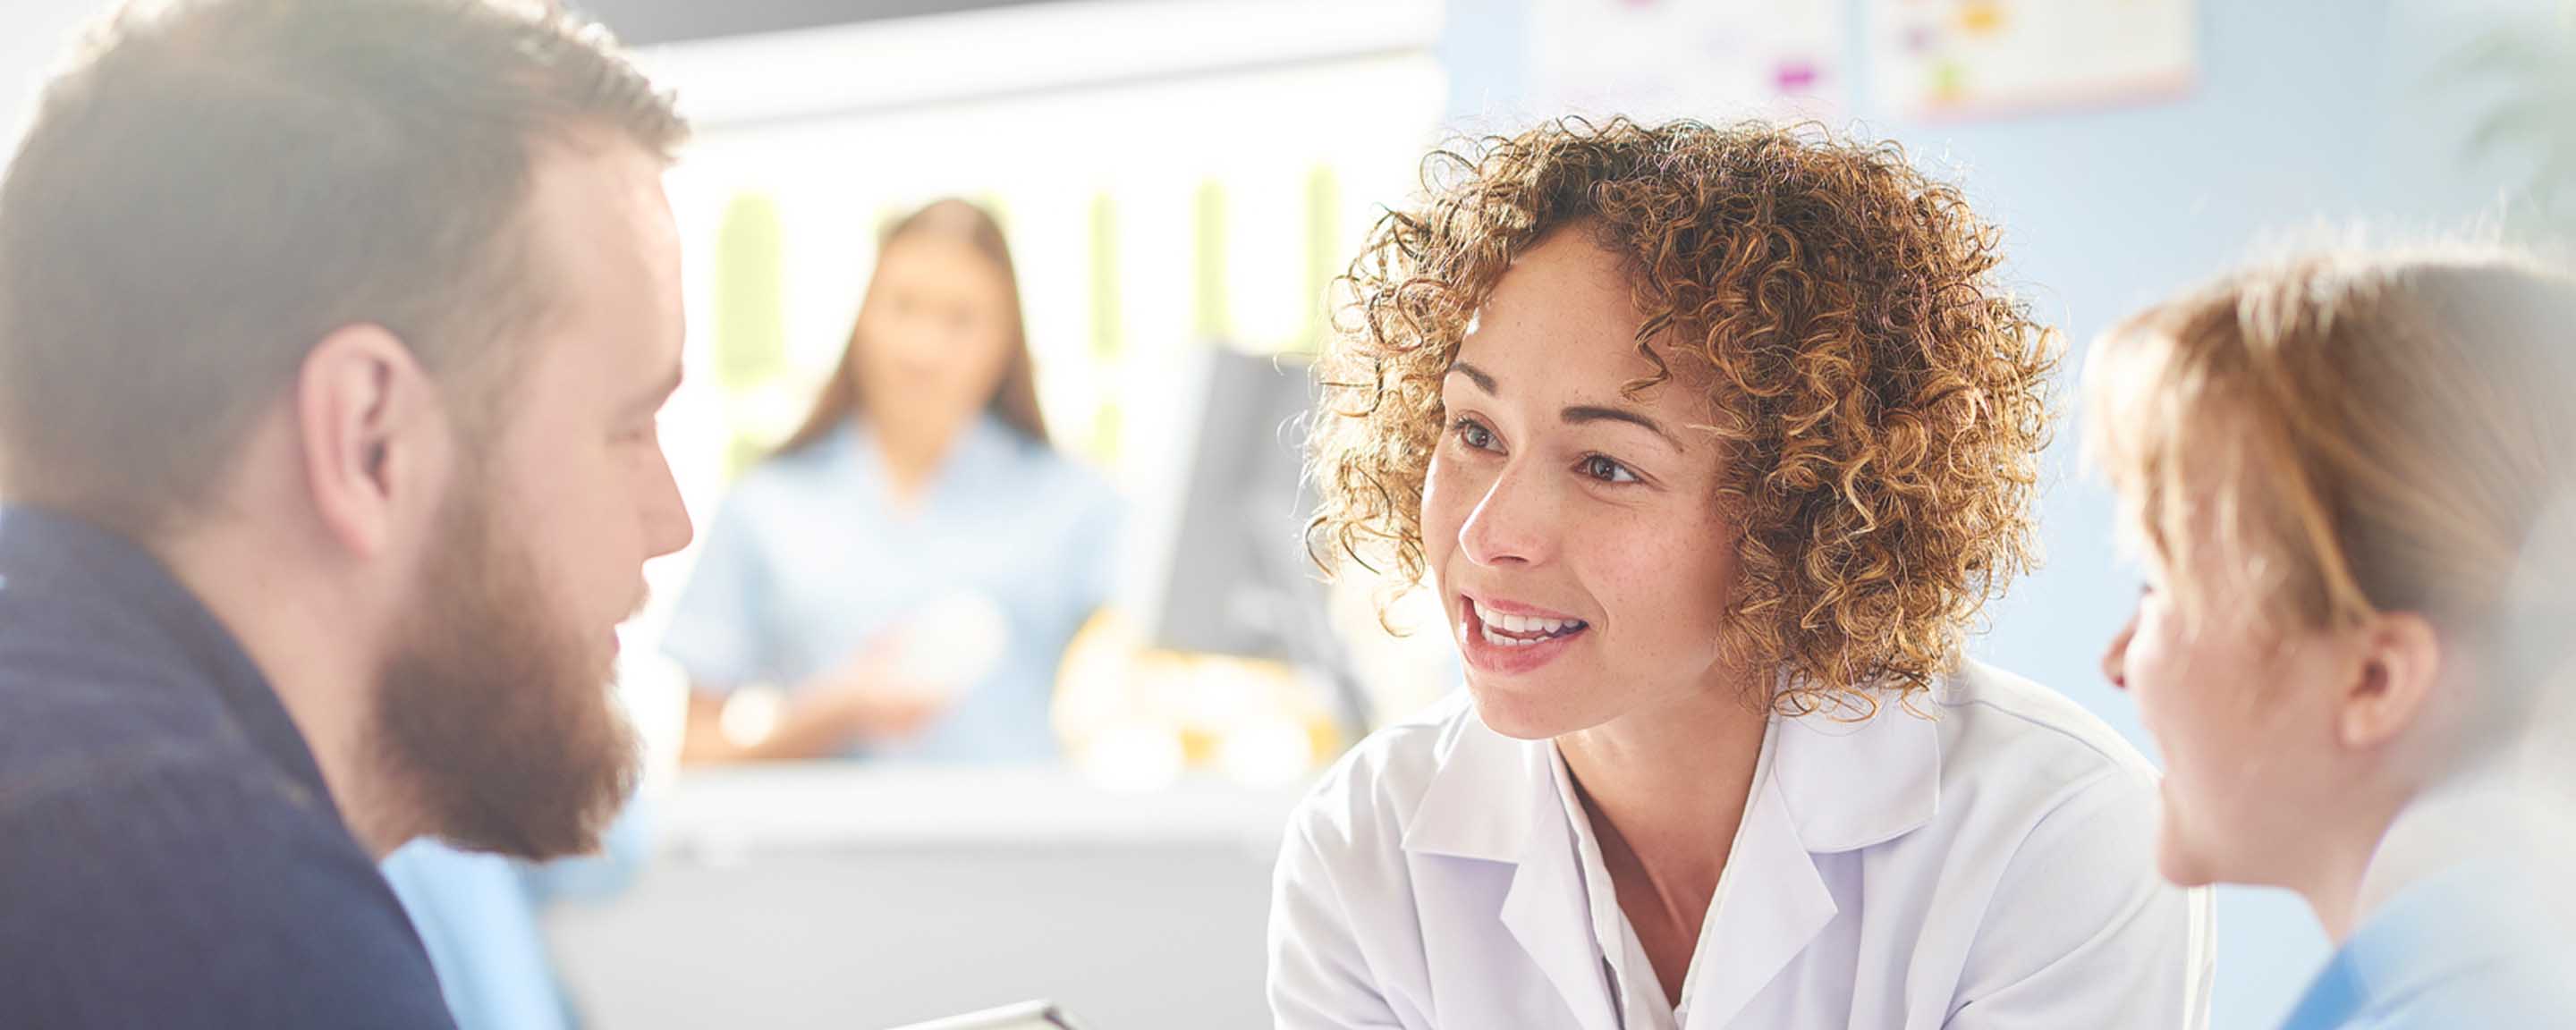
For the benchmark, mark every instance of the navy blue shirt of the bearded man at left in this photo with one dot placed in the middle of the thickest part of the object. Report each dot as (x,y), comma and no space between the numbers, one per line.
(169,851)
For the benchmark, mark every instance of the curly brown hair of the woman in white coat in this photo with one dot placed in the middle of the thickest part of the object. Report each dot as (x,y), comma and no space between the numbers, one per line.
(1882,398)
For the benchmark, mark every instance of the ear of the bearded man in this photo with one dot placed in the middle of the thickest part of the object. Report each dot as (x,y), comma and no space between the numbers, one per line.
(375,436)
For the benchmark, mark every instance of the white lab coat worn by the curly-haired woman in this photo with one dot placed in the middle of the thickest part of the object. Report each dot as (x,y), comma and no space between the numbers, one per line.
(1990,866)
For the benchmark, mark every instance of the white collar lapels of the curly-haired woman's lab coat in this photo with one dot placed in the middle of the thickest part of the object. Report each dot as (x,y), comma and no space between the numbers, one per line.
(1835,787)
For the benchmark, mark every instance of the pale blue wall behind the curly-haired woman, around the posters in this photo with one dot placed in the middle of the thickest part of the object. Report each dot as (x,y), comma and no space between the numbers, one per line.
(2307,115)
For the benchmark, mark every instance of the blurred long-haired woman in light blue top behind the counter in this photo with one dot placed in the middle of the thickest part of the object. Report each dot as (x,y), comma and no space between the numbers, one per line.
(903,578)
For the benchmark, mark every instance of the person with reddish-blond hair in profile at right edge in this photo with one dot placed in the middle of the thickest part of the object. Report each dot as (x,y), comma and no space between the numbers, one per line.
(2353,485)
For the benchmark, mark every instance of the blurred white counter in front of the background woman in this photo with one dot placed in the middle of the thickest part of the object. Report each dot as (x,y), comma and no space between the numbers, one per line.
(854,900)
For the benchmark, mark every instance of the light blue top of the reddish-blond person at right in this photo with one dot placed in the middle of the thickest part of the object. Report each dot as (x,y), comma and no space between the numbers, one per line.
(2467,949)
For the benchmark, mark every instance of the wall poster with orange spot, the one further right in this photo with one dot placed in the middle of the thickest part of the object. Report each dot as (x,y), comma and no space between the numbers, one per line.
(1982,58)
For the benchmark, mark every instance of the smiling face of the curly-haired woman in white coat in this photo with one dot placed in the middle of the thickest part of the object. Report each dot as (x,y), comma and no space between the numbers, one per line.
(1575,532)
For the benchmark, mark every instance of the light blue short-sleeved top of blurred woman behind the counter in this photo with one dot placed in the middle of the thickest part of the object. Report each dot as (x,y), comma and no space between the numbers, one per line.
(813,557)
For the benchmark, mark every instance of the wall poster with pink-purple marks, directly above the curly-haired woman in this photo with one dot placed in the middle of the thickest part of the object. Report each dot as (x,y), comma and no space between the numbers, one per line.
(1704,61)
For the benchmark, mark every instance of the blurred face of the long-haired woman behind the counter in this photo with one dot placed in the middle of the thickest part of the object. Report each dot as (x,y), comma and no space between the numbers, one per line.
(934,336)
